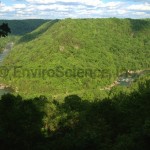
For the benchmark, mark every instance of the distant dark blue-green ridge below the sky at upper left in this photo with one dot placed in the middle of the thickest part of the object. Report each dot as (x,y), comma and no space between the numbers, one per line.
(20,27)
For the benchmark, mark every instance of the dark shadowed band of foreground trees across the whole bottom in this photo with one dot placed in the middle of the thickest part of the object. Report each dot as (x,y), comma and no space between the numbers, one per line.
(122,122)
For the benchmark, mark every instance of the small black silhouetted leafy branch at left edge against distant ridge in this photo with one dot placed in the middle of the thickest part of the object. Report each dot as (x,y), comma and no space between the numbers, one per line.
(4,30)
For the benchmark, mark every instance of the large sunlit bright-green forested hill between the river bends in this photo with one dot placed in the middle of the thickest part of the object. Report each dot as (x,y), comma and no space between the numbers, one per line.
(78,56)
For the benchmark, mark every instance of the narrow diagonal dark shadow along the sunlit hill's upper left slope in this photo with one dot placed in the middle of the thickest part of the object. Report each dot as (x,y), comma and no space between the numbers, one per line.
(35,34)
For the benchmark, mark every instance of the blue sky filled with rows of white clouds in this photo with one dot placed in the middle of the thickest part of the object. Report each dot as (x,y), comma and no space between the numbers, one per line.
(52,9)
